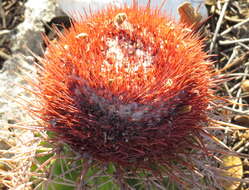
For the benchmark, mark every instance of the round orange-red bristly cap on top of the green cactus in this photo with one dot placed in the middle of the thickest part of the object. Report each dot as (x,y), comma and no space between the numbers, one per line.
(129,86)
